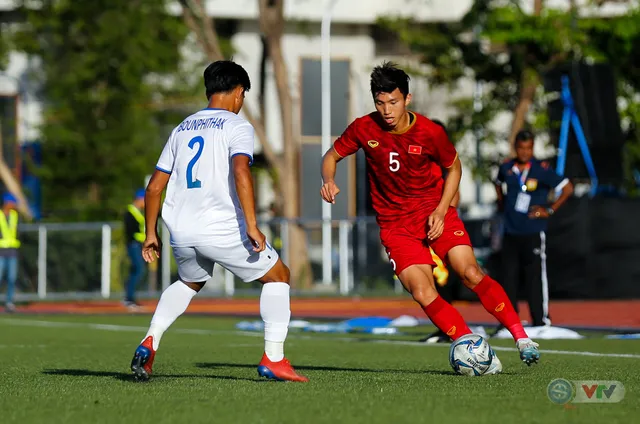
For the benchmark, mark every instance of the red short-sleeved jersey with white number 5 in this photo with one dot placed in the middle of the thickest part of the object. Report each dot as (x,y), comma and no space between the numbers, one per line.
(403,168)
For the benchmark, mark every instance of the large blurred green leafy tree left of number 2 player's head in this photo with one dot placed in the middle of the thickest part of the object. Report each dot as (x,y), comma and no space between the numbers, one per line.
(104,68)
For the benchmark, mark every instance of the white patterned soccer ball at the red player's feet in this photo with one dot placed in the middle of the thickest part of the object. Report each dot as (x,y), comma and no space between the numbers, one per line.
(470,355)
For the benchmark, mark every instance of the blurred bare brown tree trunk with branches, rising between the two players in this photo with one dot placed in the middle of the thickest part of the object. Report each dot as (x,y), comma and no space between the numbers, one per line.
(284,169)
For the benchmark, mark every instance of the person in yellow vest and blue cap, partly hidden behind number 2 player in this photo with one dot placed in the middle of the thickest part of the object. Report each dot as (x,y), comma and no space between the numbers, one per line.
(134,237)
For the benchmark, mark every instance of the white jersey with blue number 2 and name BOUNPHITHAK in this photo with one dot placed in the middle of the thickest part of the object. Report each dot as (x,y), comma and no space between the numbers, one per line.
(201,203)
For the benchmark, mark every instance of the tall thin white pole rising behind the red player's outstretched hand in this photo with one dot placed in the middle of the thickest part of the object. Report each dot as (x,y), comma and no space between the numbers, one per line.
(325,31)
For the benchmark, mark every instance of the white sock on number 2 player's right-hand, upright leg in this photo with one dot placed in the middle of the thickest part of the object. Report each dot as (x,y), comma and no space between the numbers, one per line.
(275,312)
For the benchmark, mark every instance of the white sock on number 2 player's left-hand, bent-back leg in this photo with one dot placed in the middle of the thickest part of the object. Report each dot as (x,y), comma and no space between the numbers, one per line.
(172,304)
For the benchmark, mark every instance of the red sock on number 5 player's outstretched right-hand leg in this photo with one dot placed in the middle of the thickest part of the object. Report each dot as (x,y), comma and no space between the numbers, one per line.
(497,303)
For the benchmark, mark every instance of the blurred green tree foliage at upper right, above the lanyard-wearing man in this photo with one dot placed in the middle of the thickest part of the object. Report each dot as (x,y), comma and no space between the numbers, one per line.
(509,49)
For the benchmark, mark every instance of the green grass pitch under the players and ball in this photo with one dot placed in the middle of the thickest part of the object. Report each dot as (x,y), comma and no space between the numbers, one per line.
(67,369)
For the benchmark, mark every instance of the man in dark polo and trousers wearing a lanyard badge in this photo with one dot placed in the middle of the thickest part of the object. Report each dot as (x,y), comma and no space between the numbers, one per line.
(525,204)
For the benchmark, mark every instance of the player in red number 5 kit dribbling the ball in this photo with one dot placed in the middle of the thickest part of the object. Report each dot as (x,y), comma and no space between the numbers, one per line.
(412,202)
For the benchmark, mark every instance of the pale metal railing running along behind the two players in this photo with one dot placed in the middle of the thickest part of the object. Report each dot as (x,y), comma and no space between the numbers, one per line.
(88,260)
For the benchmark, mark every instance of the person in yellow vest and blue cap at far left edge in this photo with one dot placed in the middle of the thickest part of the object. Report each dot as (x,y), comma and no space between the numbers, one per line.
(9,245)
